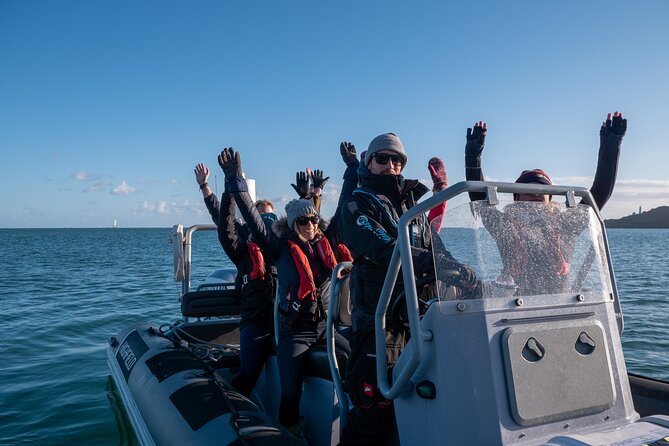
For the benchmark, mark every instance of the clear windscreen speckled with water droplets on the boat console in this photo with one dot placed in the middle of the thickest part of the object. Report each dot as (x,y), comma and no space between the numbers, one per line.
(519,249)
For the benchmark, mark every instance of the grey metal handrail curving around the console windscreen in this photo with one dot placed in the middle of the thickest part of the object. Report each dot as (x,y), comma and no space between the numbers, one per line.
(402,256)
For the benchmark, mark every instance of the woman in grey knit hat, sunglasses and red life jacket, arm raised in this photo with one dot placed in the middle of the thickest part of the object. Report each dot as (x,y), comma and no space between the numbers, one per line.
(305,259)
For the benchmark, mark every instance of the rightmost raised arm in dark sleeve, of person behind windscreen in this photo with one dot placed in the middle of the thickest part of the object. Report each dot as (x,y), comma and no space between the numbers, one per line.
(610,140)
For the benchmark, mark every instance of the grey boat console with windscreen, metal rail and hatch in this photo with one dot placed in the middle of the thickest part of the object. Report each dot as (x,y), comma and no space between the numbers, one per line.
(531,355)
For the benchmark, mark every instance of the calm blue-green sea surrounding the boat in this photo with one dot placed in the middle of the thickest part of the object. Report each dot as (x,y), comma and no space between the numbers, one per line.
(65,291)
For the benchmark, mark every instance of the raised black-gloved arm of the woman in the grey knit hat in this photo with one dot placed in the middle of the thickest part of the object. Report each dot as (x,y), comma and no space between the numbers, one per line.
(235,184)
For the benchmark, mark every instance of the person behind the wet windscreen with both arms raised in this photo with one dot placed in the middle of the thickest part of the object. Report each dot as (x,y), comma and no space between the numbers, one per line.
(536,243)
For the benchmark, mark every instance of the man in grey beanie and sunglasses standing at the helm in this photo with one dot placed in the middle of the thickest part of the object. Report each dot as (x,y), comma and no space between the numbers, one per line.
(369,228)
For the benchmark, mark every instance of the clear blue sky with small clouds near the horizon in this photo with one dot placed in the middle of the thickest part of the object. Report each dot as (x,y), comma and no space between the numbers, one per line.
(106,107)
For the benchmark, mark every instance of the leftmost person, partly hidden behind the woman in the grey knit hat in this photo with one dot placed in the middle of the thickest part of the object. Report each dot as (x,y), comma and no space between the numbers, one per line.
(255,281)
